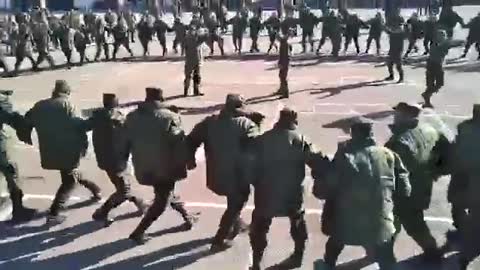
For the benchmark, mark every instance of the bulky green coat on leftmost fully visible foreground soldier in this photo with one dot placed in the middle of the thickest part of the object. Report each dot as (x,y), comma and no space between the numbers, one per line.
(61,133)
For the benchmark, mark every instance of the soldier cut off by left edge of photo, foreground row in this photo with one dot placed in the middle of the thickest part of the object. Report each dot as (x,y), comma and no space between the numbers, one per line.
(8,168)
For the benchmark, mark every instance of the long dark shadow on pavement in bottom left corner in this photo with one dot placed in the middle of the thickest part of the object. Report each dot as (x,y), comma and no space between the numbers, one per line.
(17,253)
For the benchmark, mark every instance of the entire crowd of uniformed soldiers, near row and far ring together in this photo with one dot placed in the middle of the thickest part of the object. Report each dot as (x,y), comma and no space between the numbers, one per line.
(370,191)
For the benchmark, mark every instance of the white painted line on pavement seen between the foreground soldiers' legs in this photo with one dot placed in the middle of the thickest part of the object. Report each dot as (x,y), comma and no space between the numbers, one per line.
(309,211)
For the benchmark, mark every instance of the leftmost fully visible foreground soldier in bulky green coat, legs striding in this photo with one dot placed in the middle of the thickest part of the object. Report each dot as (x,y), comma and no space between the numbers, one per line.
(63,142)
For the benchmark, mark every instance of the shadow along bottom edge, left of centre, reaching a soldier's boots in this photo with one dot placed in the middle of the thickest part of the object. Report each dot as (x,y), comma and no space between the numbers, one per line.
(172,257)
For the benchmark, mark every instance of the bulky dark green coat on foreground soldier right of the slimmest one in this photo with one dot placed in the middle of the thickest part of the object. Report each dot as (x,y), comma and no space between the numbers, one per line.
(155,138)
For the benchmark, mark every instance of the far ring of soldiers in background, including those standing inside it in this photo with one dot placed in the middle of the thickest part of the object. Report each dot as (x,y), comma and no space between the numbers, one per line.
(41,31)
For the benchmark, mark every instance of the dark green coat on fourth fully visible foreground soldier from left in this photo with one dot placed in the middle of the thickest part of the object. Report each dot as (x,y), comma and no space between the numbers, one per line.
(223,136)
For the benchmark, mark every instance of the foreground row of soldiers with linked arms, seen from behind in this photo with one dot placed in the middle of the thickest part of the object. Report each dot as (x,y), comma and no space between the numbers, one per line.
(370,191)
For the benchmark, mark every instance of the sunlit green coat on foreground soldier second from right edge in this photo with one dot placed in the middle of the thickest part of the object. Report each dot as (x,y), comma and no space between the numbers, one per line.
(416,144)
